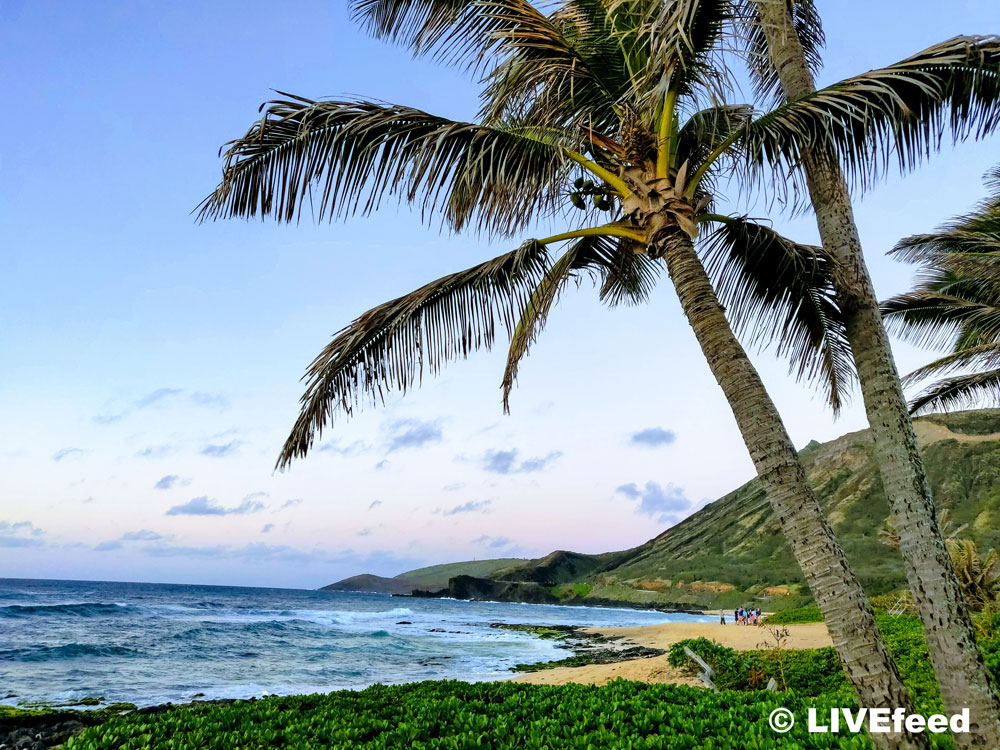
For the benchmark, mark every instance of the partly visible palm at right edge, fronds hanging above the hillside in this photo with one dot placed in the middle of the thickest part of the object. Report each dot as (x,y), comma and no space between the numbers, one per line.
(955,306)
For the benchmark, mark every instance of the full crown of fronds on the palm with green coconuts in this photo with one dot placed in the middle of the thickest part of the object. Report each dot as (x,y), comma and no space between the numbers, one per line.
(619,108)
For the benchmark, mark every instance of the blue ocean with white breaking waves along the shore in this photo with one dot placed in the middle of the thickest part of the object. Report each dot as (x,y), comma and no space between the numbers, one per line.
(146,643)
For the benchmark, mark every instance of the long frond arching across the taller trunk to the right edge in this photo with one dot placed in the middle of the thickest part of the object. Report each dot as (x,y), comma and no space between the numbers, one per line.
(901,111)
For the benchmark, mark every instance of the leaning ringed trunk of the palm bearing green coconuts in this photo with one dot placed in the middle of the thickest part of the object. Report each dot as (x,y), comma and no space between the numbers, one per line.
(836,589)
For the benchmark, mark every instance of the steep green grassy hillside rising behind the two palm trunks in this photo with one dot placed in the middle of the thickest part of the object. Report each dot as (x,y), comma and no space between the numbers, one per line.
(733,550)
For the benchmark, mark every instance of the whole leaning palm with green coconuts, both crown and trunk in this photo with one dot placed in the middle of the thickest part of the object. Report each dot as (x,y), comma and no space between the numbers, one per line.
(613,107)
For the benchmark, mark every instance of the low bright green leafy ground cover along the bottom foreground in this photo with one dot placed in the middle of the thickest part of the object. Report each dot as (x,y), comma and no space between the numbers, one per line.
(499,716)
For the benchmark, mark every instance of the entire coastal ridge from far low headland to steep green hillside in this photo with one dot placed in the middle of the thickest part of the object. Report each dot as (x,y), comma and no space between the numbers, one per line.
(732,551)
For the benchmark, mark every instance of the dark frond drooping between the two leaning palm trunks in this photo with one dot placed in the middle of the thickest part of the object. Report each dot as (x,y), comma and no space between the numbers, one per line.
(777,290)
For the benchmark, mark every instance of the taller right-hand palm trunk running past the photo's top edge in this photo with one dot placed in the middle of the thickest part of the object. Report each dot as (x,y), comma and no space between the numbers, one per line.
(958,663)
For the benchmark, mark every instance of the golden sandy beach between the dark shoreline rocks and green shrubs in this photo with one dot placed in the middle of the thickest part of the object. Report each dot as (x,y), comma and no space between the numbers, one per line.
(657,669)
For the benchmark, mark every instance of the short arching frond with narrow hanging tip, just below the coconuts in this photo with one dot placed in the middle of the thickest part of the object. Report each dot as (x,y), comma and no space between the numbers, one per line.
(624,276)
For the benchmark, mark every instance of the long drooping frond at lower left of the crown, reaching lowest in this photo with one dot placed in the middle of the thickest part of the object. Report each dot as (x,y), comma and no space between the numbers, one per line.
(388,347)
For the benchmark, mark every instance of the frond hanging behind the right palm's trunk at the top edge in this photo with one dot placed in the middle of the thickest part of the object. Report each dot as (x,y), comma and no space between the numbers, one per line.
(808,28)
